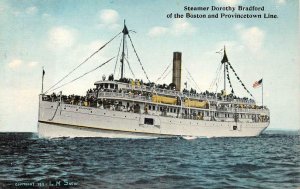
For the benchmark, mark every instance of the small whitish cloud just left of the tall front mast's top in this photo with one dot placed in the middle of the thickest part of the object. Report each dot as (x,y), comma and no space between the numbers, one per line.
(109,18)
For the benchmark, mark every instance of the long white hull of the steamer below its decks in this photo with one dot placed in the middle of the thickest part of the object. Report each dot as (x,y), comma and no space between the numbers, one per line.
(79,121)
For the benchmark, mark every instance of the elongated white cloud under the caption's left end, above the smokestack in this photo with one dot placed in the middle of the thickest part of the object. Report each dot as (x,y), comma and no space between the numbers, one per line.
(178,27)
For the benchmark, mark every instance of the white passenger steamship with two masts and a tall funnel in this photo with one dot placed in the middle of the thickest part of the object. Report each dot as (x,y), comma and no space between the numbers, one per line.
(131,108)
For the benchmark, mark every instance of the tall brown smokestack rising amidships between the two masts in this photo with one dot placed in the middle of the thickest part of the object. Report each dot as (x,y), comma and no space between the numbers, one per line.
(177,70)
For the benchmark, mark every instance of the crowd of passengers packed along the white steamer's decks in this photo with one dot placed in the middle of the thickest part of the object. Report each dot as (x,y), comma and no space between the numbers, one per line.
(90,99)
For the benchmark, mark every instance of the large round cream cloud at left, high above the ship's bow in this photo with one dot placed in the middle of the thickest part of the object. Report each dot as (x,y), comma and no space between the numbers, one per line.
(60,38)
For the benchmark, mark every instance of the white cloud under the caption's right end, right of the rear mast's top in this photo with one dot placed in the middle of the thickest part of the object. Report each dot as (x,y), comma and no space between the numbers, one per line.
(252,37)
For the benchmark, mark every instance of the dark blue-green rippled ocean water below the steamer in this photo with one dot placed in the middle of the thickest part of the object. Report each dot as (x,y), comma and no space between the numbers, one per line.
(267,161)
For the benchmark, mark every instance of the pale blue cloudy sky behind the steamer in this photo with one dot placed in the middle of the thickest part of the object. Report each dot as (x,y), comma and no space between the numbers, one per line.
(59,35)
